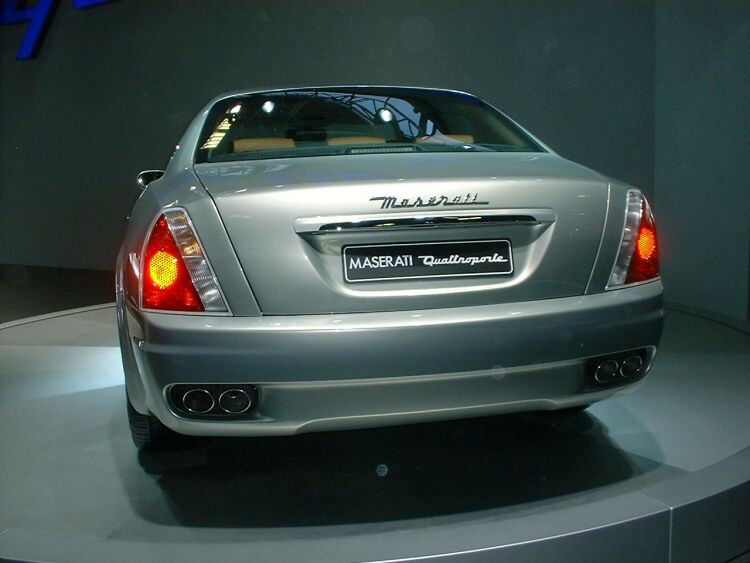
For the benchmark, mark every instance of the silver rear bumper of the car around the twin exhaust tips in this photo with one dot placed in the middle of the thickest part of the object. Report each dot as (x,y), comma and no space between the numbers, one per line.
(324,372)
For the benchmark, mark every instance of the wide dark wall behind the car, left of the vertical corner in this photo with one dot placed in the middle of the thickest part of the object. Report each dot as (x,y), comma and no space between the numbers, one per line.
(114,86)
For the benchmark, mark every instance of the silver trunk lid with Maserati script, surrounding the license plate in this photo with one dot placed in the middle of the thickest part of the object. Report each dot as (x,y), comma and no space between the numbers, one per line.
(290,221)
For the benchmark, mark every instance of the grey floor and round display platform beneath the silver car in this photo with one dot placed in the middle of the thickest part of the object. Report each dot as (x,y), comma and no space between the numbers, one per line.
(661,473)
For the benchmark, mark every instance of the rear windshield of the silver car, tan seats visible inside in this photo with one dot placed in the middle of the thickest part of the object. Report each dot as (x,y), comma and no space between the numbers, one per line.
(341,121)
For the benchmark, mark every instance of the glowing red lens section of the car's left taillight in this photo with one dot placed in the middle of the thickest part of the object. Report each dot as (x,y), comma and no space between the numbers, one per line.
(166,281)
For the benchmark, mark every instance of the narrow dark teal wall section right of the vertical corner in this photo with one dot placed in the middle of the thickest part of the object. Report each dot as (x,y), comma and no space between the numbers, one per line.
(703,152)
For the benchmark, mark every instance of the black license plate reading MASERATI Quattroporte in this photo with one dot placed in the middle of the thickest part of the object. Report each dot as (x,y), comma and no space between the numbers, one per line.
(377,262)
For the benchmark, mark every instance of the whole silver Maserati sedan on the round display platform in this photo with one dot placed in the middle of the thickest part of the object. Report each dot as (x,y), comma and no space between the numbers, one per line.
(334,258)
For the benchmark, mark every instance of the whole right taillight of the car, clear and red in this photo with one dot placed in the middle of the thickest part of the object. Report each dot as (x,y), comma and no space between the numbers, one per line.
(638,258)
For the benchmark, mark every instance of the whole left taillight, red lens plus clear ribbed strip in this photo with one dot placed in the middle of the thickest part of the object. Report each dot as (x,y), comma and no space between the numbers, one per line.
(175,274)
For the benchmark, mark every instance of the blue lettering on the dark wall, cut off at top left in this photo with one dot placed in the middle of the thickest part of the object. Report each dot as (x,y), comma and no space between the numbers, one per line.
(39,17)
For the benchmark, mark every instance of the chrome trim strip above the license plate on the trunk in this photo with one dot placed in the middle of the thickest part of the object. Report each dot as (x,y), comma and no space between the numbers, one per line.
(401,221)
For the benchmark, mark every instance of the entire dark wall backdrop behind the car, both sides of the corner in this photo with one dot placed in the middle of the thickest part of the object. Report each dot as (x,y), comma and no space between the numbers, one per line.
(651,92)
